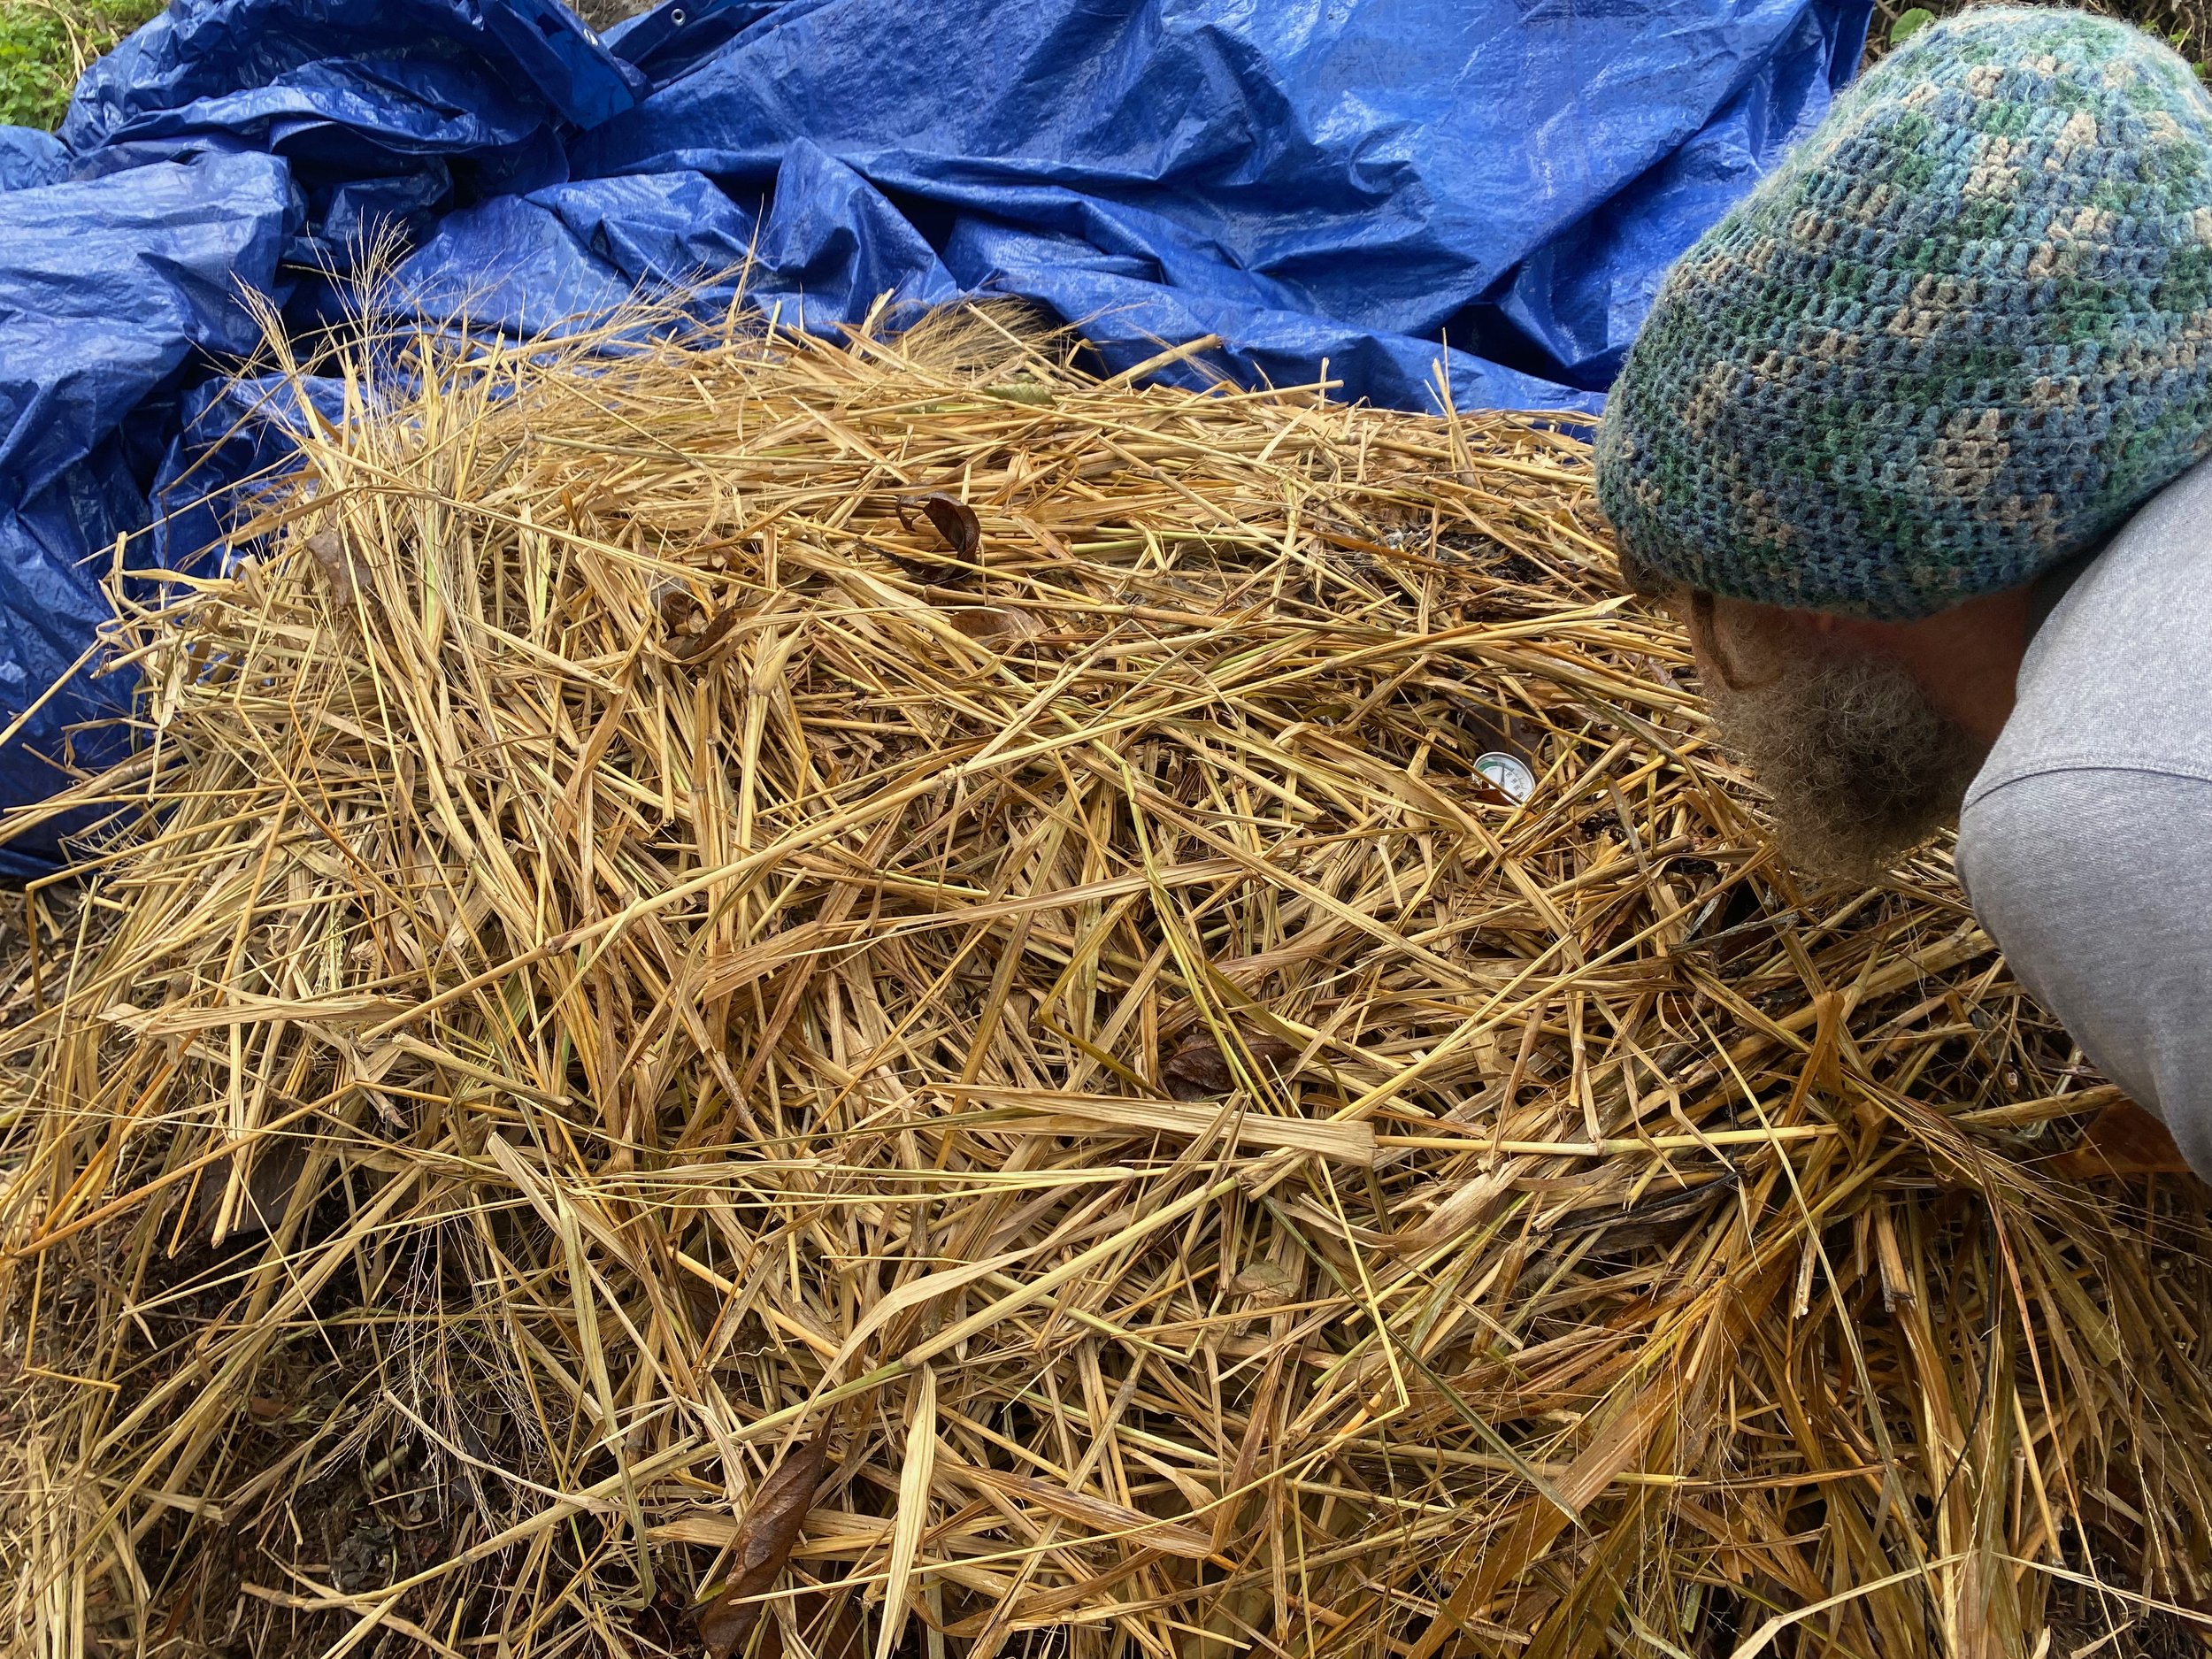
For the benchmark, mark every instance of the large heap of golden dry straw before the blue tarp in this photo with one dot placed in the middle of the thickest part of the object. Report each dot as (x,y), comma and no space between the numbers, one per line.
(855,1001)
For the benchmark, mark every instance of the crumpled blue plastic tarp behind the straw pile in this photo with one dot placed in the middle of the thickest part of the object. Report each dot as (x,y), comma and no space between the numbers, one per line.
(1381,187)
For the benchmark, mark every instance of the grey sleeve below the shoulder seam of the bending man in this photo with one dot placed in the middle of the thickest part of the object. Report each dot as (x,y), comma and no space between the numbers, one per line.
(2098,886)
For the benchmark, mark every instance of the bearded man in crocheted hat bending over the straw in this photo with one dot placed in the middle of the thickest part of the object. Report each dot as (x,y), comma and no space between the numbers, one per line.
(1914,439)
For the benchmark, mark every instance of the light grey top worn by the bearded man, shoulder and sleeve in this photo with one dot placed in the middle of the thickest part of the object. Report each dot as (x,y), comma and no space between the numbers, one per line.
(2087,839)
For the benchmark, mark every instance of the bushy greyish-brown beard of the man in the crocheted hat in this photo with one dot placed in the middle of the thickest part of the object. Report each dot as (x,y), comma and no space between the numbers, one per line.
(1857,758)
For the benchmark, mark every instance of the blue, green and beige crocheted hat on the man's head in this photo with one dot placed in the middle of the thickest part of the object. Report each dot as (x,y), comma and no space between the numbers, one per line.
(1952,342)
